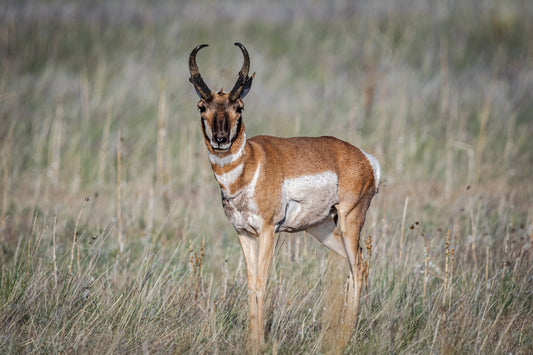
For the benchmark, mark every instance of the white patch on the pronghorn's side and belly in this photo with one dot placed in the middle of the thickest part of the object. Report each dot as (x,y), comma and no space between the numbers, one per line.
(307,200)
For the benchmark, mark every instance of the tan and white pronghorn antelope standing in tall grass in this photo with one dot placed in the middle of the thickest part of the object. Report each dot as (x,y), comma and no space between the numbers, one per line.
(321,185)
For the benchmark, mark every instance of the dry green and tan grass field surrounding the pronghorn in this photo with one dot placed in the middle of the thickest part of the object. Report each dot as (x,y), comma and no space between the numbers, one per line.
(112,235)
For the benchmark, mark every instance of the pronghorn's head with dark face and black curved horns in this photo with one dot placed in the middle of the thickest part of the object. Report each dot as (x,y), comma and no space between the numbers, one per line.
(221,112)
